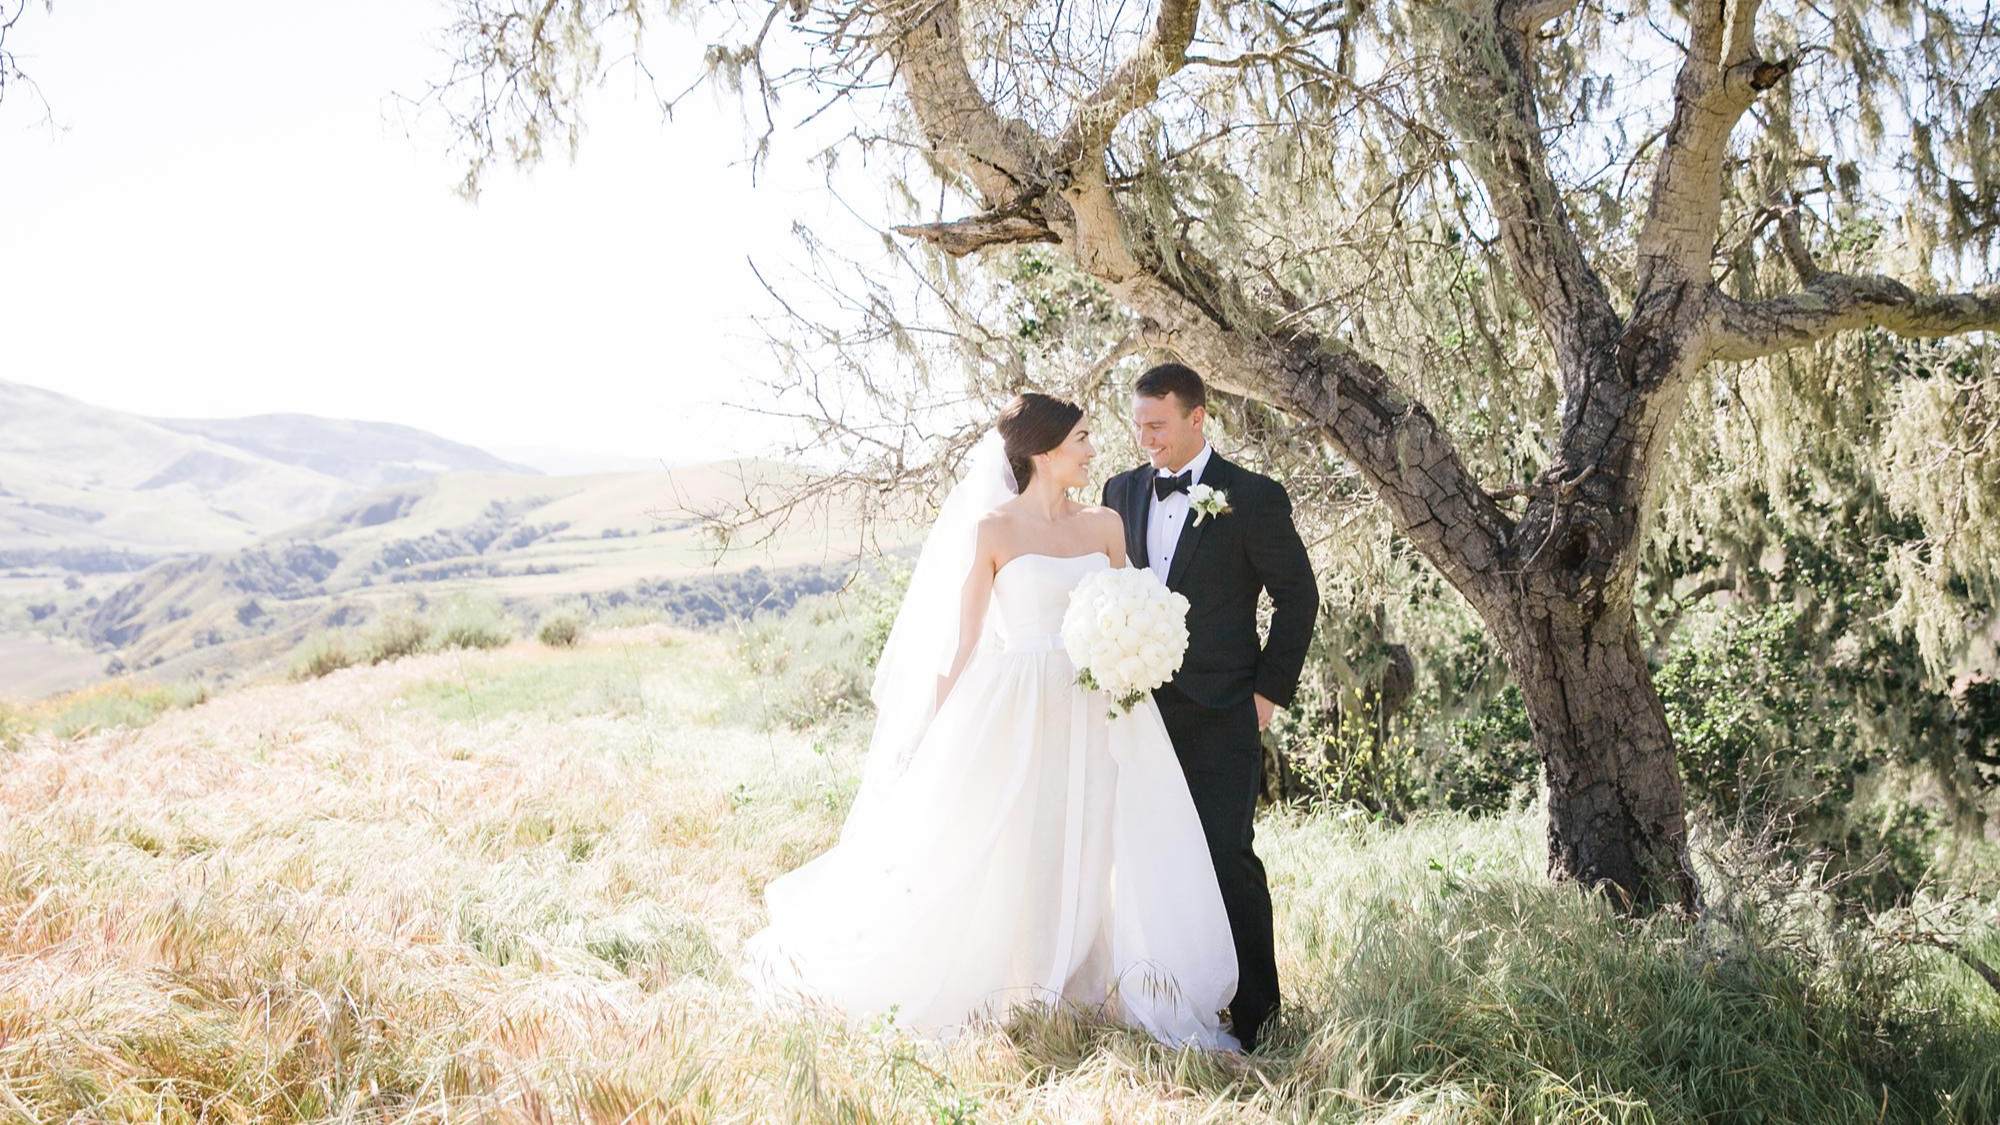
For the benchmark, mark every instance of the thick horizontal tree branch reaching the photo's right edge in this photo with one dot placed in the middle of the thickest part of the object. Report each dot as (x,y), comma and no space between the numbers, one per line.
(1837,303)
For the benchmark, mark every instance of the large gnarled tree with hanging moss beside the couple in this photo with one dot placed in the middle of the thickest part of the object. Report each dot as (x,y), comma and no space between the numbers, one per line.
(1555,217)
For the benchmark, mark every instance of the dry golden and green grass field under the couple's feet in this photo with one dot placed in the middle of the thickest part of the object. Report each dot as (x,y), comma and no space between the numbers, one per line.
(511,886)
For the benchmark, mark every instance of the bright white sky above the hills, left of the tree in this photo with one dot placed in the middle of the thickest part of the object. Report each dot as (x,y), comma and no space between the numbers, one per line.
(233,215)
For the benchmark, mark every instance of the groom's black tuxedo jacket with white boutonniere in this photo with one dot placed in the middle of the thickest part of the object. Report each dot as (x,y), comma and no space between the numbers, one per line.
(1221,568)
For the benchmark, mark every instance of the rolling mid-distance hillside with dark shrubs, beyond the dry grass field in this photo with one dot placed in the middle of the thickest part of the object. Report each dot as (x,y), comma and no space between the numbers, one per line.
(525,543)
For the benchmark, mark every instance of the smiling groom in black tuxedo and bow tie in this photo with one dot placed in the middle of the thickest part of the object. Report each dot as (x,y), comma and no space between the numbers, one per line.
(1219,549)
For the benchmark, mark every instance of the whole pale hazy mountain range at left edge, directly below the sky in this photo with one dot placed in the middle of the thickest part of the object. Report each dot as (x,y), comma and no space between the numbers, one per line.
(89,489)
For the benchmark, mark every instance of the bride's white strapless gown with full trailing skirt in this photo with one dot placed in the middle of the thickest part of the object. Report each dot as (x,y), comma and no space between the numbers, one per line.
(1035,852)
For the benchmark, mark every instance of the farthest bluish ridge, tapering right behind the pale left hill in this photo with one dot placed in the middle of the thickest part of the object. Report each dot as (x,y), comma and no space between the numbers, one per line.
(361,453)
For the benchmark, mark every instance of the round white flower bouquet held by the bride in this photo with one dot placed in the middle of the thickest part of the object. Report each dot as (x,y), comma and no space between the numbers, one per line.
(1125,634)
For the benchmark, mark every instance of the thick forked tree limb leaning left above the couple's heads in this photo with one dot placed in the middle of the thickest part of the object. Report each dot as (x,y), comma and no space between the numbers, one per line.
(1193,307)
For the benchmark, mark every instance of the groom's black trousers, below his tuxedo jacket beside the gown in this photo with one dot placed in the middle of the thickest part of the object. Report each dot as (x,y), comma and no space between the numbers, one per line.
(1223,760)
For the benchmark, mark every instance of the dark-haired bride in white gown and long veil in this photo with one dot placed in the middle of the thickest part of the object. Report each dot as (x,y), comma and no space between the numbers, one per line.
(1009,844)
